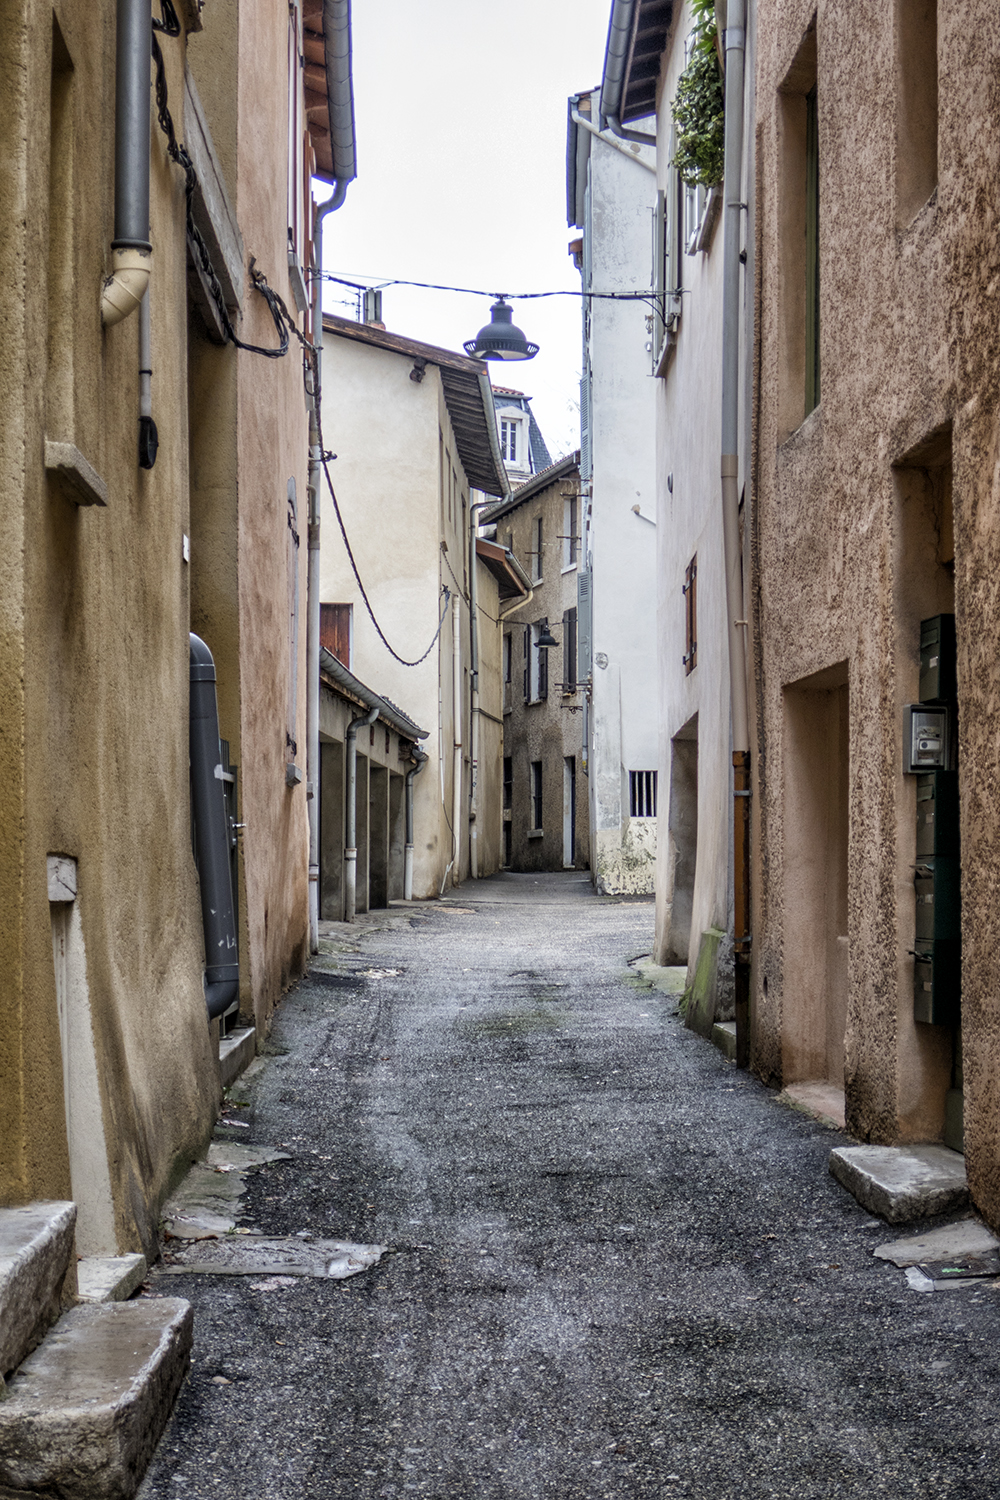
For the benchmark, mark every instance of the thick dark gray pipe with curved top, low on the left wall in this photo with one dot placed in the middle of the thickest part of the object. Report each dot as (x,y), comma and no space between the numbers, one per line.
(212,836)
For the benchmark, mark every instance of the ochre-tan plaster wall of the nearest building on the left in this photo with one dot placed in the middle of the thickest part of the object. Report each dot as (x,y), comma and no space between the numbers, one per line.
(94,655)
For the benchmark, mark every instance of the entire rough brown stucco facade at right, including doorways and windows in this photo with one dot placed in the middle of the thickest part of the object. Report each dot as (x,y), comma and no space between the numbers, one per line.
(878,418)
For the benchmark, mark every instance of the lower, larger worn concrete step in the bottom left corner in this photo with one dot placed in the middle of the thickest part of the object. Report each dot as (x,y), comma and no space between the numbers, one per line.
(86,1411)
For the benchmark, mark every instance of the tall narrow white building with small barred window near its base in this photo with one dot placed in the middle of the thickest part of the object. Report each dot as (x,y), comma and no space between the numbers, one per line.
(612,199)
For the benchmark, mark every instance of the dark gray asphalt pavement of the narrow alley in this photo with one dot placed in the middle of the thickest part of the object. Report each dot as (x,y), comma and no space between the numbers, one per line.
(615,1267)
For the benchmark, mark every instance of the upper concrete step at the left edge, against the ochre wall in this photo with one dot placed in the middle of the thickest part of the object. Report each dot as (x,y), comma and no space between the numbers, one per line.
(37,1244)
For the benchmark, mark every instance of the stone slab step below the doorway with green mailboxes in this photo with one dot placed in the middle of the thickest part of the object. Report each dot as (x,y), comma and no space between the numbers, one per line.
(903,1183)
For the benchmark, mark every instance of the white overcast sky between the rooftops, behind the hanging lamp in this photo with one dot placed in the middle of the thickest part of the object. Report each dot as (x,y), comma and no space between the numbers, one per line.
(461,113)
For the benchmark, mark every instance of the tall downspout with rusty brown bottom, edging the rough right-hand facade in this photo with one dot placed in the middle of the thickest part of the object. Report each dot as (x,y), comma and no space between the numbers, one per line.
(735,58)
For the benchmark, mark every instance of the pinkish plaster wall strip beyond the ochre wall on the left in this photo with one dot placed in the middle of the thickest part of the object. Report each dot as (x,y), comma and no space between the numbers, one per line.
(274,445)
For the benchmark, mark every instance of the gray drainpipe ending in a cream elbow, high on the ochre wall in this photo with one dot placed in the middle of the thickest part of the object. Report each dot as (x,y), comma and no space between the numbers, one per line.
(131,250)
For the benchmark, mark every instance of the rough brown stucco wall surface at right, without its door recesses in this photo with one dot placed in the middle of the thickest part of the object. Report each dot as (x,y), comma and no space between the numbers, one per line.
(849,548)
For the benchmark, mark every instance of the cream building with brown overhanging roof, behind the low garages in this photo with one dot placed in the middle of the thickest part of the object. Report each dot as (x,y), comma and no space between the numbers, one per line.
(418,449)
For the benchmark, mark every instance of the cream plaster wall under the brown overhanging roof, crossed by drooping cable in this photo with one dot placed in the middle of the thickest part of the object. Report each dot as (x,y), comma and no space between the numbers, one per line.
(395,451)
